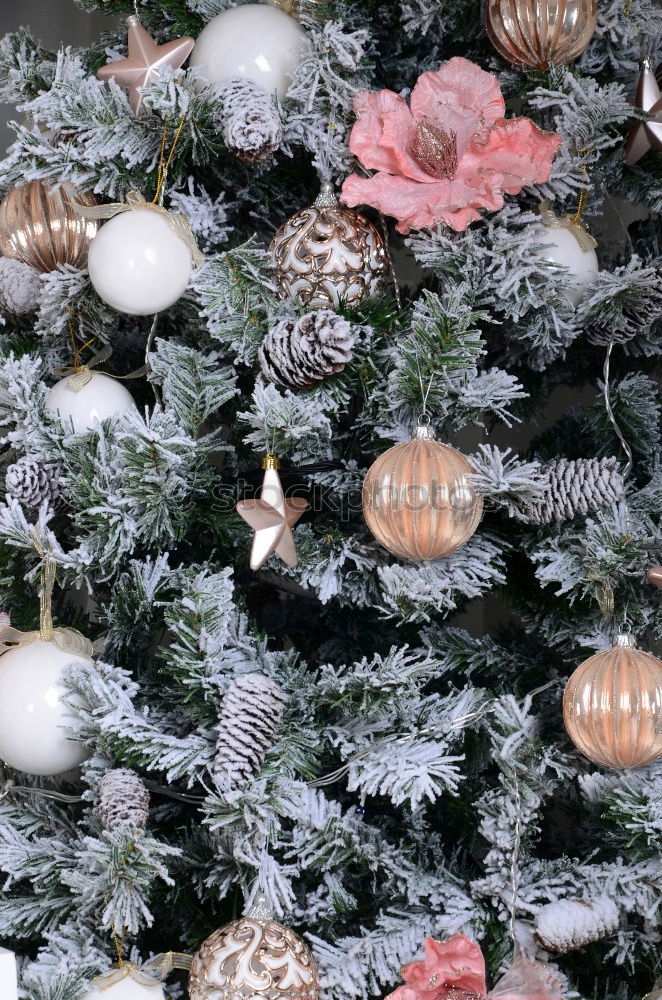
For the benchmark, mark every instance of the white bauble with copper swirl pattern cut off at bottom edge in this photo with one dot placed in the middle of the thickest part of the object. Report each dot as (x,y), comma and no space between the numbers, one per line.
(252,958)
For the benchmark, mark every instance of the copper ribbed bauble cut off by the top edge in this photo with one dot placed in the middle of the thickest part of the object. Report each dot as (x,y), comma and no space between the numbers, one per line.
(539,32)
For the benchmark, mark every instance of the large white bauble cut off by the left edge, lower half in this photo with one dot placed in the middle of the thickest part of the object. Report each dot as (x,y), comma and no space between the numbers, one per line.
(32,716)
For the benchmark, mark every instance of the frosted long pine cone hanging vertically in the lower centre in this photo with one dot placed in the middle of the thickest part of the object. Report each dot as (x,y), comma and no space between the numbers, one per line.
(249,717)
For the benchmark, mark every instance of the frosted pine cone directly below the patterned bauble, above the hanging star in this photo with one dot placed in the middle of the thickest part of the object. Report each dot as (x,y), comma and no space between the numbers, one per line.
(299,352)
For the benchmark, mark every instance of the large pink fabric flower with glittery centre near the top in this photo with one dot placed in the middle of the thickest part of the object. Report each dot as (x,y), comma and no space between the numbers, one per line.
(447,153)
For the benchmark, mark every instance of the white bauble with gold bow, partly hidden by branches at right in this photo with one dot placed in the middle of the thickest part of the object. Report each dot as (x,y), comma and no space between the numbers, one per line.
(564,240)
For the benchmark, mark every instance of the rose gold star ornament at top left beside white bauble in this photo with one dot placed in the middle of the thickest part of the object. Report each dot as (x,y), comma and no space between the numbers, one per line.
(145,61)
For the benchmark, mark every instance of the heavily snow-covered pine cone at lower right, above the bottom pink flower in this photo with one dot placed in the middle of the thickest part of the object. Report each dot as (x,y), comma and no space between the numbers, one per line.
(573,923)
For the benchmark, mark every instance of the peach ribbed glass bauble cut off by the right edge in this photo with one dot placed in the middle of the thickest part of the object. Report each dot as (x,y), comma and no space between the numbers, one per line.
(612,706)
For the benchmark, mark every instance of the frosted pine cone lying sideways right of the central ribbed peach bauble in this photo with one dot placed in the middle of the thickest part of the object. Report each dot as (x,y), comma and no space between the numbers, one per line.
(577,486)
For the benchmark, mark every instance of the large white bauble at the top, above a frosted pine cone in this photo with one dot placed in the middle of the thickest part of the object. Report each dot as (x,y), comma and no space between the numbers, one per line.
(254,40)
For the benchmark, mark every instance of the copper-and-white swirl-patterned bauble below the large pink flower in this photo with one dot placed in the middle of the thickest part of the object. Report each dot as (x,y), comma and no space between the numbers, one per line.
(327,254)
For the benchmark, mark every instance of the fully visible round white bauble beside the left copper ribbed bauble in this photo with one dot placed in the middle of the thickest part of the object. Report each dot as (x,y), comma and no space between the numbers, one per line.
(137,264)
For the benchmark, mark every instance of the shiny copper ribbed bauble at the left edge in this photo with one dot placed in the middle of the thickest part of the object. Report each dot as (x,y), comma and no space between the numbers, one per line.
(39,225)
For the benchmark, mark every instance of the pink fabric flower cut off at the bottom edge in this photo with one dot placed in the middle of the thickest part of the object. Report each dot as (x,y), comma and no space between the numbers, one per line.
(455,970)
